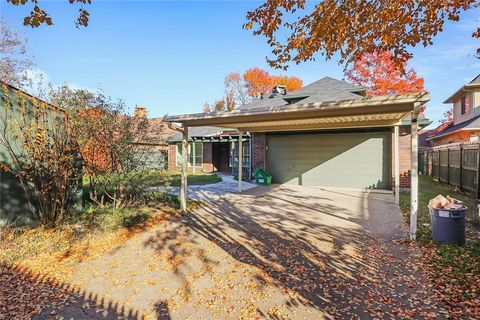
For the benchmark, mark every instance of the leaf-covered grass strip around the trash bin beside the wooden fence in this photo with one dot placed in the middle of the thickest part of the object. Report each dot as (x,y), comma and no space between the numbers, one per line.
(454,270)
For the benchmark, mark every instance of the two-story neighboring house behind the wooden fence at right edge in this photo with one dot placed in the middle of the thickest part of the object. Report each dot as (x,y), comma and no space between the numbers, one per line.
(465,127)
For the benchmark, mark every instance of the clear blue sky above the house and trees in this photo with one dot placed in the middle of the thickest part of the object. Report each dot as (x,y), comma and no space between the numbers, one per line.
(173,56)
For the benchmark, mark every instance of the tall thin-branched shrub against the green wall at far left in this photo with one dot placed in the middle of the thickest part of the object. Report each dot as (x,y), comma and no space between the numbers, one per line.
(44,154)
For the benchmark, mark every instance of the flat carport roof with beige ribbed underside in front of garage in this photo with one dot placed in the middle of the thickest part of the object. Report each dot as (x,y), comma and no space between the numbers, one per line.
(373,112)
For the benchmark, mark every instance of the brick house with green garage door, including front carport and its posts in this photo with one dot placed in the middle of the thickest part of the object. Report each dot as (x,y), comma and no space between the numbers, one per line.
(326,134)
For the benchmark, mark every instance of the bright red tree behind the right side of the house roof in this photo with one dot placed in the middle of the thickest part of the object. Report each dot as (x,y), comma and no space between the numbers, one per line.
(378,73)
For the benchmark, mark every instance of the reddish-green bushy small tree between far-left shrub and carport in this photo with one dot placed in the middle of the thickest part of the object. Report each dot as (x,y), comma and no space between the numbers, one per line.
(113,162)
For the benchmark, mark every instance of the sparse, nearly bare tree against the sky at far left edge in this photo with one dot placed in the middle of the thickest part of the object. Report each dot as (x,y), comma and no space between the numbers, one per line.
(14,58)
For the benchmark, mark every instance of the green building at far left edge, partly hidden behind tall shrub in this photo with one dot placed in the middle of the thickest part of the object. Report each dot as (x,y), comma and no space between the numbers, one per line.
(14,207)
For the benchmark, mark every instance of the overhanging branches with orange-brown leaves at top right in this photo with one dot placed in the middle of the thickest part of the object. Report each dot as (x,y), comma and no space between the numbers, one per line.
(351,28)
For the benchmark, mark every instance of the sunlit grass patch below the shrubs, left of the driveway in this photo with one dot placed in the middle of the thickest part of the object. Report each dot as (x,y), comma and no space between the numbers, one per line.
(91,228)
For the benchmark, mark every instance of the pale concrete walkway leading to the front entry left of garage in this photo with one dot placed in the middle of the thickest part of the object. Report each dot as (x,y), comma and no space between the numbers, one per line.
(211,192)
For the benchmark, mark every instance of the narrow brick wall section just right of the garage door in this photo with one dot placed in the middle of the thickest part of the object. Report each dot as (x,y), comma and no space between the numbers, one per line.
(405,151)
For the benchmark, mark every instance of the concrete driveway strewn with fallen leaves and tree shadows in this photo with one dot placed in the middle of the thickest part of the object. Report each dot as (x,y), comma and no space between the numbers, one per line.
(272,252)
